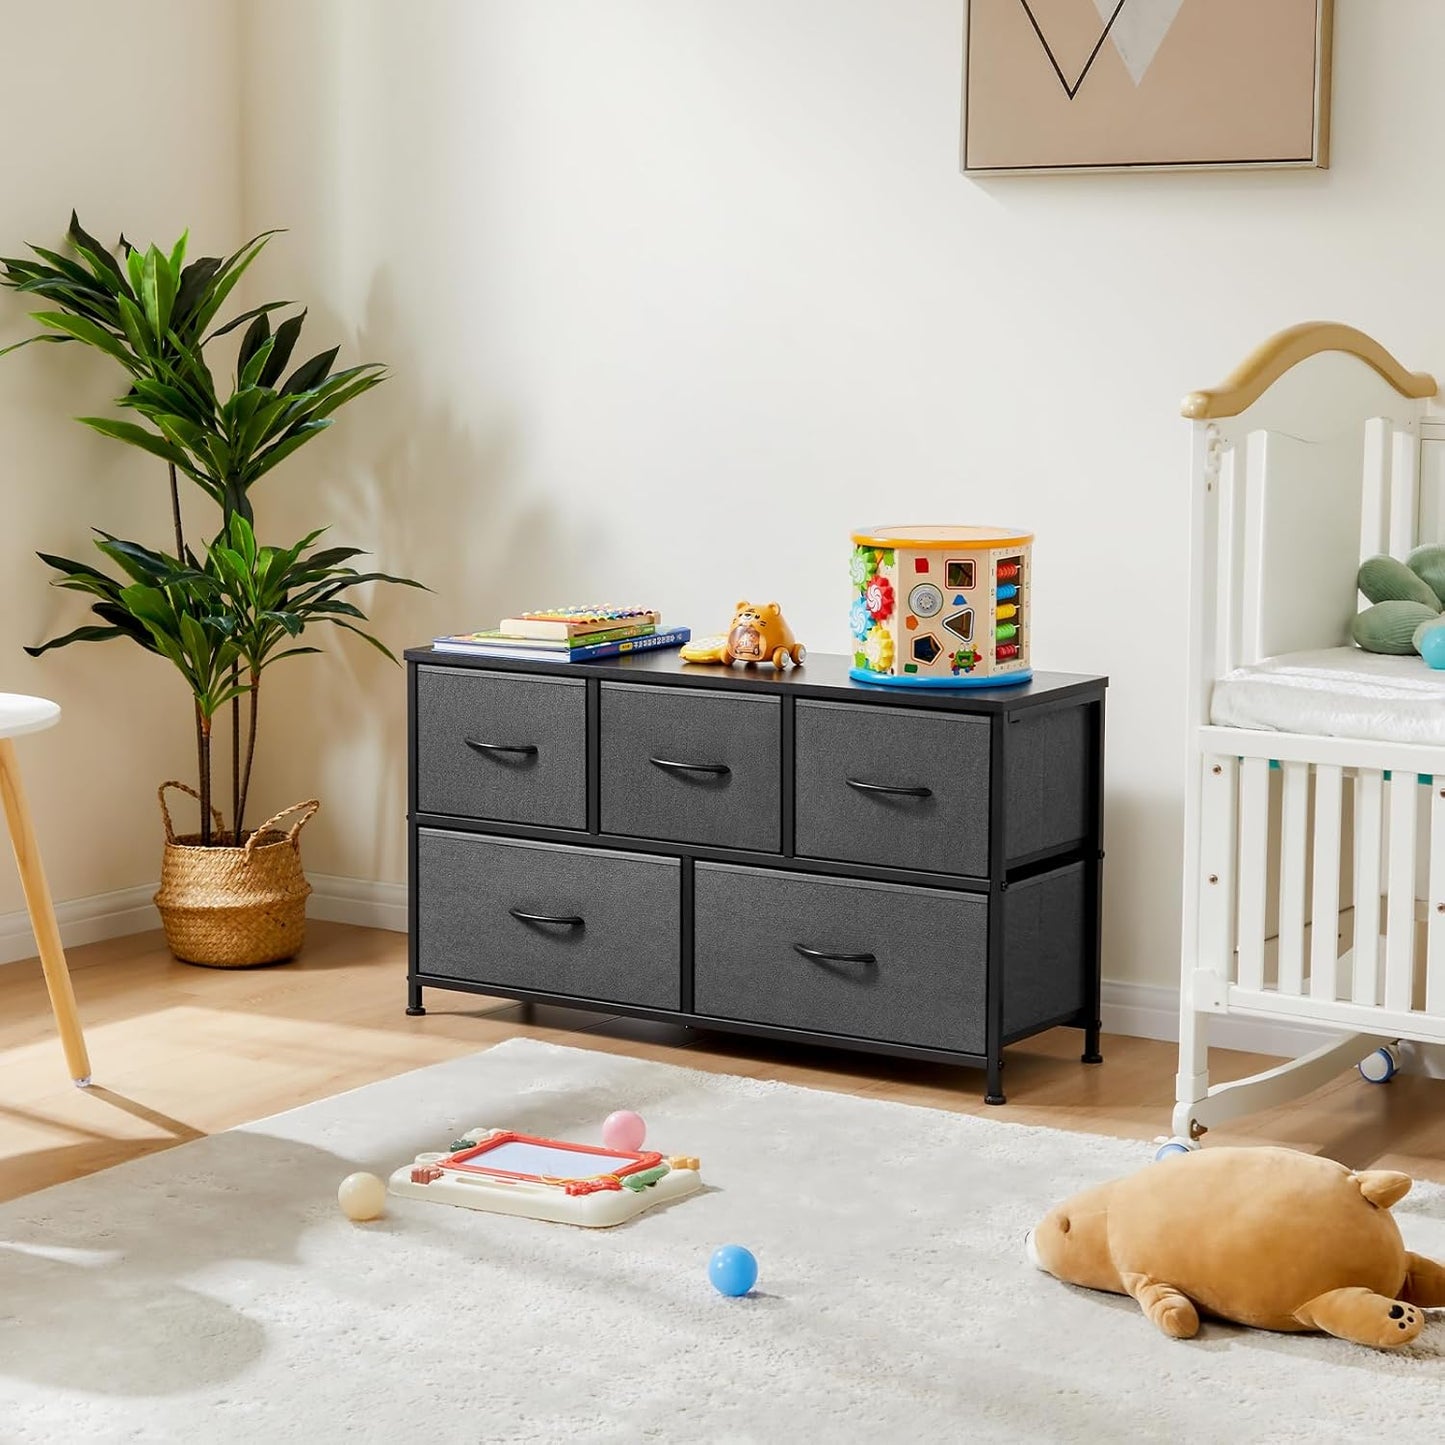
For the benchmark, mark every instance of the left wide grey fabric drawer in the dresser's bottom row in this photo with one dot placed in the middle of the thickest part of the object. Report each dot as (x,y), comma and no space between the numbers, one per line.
(534,915)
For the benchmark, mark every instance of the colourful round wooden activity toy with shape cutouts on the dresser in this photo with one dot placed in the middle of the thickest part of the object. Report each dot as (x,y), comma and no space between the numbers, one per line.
(941,608)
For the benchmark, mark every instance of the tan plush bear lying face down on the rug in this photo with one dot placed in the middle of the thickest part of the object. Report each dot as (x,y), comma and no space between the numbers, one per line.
(1267,1238)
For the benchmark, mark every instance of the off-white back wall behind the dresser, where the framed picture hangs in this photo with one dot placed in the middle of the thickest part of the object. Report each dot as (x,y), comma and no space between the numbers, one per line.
(677,294)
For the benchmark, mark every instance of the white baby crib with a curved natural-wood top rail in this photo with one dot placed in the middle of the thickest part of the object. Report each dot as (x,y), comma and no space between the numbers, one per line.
(1314,878)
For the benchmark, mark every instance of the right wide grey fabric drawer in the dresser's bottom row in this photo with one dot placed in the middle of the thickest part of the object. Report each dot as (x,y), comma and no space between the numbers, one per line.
(869,960)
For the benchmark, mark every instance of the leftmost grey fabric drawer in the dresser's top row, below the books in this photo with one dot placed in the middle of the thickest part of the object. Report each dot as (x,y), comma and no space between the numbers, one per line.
(502,746)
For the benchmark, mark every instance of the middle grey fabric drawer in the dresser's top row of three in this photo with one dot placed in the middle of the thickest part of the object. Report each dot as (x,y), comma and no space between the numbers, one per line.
(689,765)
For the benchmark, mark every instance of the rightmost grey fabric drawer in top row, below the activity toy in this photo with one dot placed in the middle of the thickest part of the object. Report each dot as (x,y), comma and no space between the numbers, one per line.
(894,787)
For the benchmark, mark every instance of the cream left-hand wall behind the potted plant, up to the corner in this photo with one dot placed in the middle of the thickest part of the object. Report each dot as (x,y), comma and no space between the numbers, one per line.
(129,113)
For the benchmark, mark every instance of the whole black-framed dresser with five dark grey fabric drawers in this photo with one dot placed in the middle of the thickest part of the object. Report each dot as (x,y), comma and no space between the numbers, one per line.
(797,856)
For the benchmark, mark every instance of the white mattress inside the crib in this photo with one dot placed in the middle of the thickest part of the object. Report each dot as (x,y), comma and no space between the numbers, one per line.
(1336,693)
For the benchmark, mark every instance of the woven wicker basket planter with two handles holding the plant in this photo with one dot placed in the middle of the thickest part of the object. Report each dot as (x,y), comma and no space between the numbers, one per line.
(235,907)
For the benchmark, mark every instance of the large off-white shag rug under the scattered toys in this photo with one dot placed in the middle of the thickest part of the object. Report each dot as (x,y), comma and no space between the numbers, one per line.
(215,1293)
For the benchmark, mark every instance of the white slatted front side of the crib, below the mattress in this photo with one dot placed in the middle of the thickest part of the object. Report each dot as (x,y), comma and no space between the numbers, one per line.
(1355,829)
